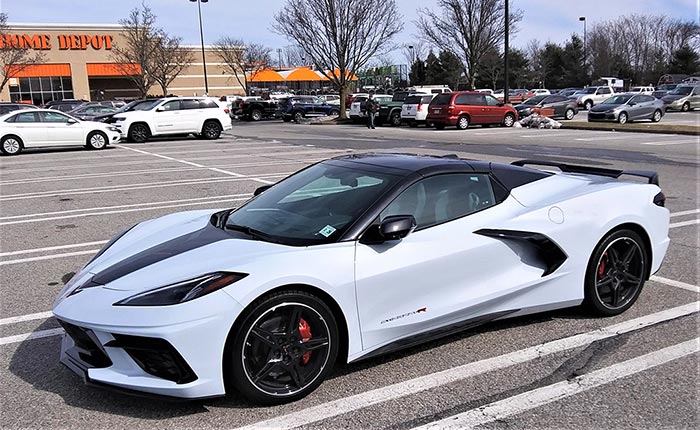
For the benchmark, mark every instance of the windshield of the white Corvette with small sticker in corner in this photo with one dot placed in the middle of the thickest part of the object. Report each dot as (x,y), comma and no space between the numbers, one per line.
(314,206)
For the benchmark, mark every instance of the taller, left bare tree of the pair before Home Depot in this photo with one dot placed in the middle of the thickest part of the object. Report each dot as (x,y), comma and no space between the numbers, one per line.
(134,57)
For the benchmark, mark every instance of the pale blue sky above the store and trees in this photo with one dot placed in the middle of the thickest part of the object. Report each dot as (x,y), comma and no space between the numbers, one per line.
(553,20)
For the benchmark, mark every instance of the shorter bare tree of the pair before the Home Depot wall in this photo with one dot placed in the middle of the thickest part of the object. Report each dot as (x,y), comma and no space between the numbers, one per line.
(169,60)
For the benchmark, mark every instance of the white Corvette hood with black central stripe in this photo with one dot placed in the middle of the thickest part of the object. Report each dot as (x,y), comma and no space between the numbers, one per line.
(171,249)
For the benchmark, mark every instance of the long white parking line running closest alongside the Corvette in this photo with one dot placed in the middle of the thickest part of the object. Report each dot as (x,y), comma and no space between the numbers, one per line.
(349,404)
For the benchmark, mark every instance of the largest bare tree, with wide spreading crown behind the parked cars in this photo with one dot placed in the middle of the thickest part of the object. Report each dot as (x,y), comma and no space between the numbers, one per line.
(340,36)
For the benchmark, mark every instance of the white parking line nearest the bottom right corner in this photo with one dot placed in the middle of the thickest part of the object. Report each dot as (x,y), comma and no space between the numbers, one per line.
(545,395)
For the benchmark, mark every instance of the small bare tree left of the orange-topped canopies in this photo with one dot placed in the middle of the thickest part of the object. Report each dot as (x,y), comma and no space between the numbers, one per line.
(243,59)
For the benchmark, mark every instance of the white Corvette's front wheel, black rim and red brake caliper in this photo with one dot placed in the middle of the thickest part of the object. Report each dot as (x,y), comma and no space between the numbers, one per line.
(261,343)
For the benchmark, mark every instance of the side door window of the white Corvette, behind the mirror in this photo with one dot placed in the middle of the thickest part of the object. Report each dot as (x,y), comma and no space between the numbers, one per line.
(442,198)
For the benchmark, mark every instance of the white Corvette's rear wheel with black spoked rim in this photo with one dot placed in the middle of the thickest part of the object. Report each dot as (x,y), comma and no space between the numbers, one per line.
(616,273)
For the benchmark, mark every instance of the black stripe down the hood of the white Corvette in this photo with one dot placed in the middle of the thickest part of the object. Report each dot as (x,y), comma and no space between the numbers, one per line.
(204,236)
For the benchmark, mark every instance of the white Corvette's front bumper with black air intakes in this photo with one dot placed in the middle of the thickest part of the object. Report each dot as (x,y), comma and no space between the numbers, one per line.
(176,352)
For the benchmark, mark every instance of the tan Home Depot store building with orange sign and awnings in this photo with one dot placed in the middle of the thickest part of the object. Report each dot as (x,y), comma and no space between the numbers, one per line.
(78,64)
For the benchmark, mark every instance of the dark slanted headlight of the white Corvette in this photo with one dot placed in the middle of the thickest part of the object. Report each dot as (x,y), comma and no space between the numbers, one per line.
(183,291)
